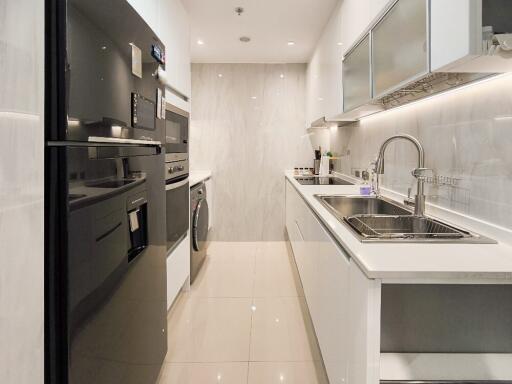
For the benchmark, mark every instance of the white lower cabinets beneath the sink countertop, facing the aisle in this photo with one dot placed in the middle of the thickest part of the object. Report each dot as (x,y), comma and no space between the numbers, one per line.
(343,303)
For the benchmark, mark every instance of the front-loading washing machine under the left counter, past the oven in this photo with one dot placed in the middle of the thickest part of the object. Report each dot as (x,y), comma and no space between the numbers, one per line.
(199,228)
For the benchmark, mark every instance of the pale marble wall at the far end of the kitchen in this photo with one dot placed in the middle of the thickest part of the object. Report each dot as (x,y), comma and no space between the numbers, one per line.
(248,126)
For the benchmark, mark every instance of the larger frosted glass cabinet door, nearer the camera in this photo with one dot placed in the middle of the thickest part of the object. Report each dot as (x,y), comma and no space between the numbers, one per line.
(399,46)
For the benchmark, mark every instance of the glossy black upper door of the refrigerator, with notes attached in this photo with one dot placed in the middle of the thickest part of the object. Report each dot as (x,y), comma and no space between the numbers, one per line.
(112,58)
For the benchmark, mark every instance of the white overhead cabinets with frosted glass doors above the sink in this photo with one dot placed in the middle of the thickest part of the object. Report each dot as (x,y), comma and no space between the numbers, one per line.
(421,47)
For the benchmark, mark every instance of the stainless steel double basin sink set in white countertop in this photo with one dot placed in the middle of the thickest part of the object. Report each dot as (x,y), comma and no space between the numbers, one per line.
(377,219)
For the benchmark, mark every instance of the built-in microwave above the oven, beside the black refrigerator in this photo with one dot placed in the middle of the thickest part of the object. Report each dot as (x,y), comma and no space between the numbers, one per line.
(176,132)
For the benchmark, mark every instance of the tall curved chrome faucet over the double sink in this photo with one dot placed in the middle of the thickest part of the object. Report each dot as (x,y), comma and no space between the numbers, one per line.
(419,173)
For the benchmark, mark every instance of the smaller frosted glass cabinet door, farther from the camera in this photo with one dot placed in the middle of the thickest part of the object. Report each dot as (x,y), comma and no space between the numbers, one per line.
(356,76)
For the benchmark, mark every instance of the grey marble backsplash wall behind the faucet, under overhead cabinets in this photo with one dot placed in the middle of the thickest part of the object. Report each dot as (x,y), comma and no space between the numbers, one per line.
(467,136)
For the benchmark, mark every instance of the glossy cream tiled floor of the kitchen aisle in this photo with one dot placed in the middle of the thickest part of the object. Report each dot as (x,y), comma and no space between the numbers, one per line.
(242,322)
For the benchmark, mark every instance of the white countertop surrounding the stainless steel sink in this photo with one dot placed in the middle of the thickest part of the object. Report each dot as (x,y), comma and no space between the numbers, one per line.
(479,263)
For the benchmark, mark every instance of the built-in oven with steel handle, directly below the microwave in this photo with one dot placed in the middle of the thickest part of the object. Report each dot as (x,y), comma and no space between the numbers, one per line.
(177,197)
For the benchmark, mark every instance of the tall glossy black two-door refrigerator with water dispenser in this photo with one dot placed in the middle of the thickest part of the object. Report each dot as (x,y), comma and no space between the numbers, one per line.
(105,237)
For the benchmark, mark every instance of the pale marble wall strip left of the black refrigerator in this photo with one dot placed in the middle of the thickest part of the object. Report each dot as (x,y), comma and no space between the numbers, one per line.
(21,191)
